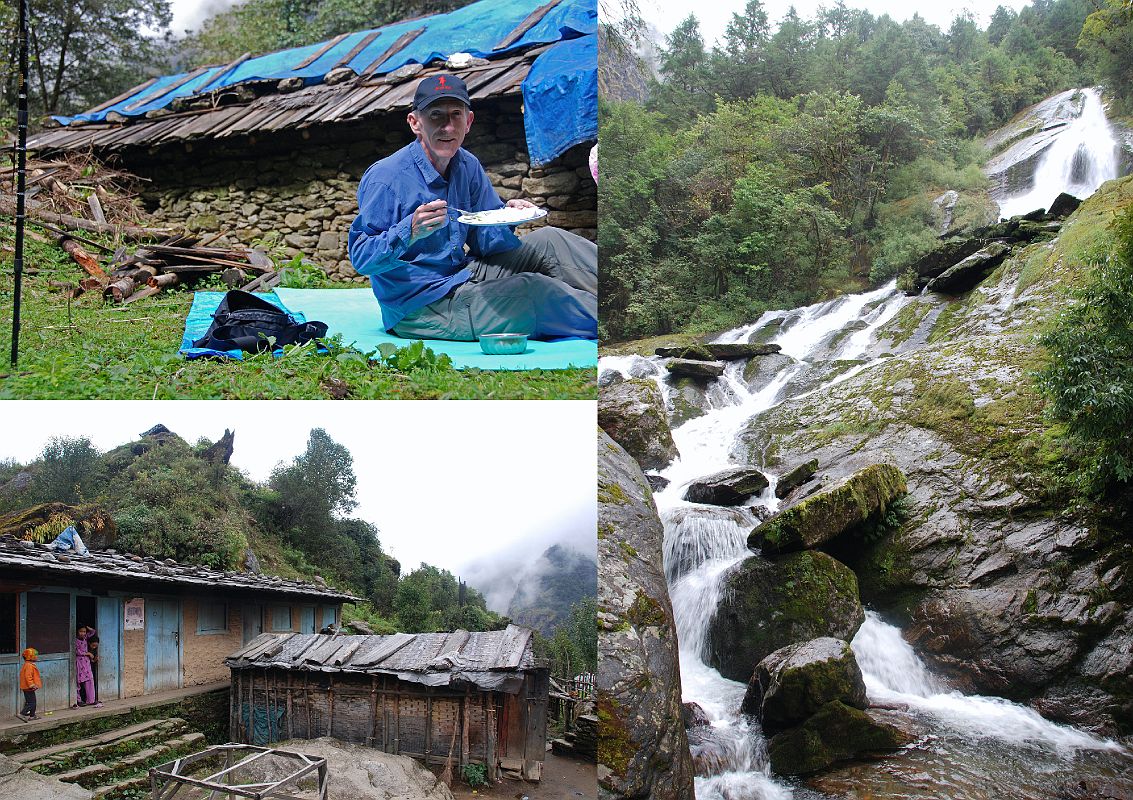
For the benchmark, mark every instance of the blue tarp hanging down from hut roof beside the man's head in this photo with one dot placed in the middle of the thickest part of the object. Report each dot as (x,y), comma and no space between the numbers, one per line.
(561,99)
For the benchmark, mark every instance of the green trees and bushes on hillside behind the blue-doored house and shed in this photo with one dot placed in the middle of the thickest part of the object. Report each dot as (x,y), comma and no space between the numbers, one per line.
(165,498)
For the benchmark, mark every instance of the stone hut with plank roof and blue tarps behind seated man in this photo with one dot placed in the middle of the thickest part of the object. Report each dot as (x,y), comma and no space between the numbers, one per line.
(271,149)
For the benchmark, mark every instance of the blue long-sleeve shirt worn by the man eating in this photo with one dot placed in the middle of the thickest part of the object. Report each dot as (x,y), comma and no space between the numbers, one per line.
(407,278)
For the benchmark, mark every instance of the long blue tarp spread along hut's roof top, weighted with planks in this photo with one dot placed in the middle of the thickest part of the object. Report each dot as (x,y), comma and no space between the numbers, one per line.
(475,29)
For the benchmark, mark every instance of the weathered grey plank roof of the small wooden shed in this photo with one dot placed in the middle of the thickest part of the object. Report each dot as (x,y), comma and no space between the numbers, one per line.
(487,659)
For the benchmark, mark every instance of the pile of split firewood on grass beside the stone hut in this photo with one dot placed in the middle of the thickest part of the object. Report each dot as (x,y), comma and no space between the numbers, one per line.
(174,261)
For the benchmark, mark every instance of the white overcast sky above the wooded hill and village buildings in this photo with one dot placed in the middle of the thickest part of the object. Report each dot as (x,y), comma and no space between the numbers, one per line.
(478,488)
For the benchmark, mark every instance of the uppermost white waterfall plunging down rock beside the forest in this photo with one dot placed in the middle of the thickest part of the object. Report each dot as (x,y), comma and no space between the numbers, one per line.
(1083,158)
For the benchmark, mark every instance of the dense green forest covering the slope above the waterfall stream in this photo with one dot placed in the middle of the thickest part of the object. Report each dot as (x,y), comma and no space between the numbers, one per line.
(797,161)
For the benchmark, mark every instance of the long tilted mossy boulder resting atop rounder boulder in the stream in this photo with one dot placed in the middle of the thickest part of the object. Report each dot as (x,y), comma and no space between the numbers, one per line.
(825,516)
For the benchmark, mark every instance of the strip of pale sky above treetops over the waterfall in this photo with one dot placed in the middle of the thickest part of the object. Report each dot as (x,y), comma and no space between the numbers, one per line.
(714,16)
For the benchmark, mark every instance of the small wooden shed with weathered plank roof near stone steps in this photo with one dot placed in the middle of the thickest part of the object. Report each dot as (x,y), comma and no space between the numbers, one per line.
(476,695)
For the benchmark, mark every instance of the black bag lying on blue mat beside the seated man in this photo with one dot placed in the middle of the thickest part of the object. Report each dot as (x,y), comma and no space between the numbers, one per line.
(245,322)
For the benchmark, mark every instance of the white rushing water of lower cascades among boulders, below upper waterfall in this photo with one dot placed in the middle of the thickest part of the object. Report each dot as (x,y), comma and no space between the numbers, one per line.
(703,543)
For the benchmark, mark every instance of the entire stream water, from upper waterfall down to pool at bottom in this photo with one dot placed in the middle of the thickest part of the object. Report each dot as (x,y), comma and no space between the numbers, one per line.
(973,748)
